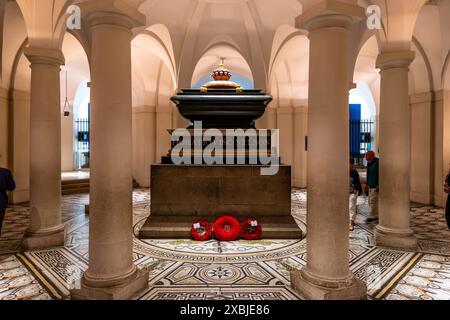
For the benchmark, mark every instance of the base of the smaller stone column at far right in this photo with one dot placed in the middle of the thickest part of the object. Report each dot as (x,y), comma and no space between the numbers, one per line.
(395,239)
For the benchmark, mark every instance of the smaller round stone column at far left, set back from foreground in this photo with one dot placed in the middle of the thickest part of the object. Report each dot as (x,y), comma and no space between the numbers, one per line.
(46,228)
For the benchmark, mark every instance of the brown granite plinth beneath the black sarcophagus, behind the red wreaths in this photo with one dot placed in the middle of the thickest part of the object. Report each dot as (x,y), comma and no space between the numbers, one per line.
(183,194)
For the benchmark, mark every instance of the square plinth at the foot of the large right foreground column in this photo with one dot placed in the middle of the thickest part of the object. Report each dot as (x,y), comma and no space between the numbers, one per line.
(357,290)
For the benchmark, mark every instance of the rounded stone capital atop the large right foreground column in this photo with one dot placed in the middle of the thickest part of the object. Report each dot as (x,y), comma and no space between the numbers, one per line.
(330,14)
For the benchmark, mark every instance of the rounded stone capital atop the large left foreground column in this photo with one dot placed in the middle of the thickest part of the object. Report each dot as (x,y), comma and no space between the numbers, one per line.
(112,12)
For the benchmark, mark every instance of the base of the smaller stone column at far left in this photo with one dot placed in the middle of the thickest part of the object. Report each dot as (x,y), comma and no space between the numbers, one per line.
(43,239)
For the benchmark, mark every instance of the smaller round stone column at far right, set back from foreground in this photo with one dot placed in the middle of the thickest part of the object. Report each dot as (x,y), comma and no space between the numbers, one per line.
(395,152)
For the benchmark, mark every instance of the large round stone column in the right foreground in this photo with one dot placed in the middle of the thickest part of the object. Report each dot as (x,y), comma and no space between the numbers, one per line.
(327,274)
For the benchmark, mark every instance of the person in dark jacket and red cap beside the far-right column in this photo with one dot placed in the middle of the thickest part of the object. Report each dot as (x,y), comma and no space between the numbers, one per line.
(373,184)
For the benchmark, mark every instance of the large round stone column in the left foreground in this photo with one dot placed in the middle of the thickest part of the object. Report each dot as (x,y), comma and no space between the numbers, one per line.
(112,274)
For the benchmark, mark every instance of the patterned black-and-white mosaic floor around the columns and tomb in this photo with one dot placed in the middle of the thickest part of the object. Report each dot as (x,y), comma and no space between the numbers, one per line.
(240,270)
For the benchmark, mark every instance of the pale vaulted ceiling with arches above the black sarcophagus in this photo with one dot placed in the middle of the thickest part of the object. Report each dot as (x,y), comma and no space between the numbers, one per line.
(183,39)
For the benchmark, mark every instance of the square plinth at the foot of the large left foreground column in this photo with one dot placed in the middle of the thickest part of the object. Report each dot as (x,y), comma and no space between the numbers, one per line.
(124,291)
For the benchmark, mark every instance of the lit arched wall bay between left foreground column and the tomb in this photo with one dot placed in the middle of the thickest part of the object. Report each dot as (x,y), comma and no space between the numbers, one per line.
(154,81)
